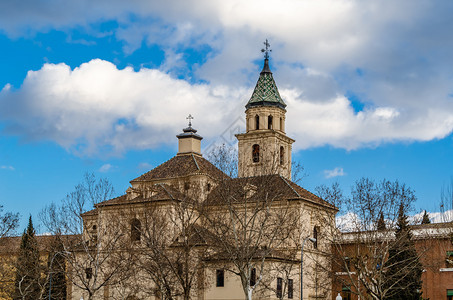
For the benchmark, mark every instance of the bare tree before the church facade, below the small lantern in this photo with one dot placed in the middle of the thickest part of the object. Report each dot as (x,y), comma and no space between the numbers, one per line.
(173,261)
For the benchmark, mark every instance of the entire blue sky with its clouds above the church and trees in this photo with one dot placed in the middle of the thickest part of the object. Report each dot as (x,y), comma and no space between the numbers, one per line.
(105,86)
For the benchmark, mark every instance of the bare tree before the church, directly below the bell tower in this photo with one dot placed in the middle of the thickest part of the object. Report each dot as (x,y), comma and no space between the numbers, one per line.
(250,220)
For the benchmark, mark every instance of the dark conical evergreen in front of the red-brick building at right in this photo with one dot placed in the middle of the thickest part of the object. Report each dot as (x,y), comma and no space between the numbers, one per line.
(403,269)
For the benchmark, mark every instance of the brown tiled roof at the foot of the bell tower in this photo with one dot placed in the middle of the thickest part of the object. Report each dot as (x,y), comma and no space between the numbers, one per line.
(273,186)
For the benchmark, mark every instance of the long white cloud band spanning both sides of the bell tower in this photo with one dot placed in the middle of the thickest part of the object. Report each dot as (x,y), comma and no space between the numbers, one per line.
(97,109)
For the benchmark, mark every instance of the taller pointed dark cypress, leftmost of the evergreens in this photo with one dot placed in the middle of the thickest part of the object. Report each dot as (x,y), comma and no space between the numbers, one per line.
(28,268)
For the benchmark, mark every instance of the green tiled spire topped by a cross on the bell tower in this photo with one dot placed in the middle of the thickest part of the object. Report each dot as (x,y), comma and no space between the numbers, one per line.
(266,91)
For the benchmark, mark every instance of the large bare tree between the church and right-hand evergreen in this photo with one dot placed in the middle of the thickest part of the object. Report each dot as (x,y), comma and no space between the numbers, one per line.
(360,247)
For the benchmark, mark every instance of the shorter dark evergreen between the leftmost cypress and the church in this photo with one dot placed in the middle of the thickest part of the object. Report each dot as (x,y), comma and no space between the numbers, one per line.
(56,271)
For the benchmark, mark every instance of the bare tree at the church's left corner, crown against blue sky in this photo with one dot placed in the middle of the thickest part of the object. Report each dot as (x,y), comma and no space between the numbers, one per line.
(94,249)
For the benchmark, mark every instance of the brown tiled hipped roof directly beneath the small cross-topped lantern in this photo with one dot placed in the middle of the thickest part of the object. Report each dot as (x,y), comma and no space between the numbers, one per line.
(182,165)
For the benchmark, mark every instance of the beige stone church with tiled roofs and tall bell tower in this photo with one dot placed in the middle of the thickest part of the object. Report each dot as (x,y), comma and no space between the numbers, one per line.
(220,237)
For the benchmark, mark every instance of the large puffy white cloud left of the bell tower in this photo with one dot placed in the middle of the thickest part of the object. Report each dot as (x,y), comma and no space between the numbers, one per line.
(97,108)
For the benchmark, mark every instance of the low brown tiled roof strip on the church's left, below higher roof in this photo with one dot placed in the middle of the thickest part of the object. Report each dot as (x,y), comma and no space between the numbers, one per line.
(158,192)
